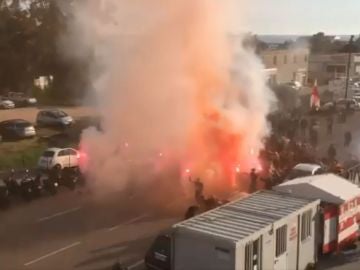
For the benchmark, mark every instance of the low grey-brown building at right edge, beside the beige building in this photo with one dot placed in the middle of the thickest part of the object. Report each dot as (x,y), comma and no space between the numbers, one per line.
(327,67)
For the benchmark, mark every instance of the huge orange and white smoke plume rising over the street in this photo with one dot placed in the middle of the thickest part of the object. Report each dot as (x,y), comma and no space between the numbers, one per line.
(168,88)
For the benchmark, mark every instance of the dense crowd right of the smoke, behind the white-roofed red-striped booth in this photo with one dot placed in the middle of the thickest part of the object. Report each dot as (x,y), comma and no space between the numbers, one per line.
(295,140)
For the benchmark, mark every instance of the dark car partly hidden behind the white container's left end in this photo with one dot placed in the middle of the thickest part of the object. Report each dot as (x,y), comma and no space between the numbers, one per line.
(158,257)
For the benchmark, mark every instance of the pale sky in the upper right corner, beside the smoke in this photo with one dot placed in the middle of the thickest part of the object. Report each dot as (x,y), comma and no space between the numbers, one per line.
(299,17)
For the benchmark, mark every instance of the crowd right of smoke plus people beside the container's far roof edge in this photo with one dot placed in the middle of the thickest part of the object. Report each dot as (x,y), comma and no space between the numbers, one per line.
(294,140)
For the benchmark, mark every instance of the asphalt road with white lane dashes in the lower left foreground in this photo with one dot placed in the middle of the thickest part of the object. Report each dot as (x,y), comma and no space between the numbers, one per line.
(82,231)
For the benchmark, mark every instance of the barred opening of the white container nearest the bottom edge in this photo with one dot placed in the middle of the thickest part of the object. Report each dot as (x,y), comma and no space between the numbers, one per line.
(253,255)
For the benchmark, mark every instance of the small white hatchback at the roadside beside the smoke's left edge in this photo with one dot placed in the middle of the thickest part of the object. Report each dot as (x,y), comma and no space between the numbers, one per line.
(59,158)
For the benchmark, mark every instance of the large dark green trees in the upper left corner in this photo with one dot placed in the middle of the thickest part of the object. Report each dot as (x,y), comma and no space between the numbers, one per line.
(29,35)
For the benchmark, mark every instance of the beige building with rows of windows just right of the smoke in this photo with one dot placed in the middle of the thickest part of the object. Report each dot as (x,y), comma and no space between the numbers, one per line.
(291,64)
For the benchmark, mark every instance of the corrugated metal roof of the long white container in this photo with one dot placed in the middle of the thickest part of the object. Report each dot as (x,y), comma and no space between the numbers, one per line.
(241,218)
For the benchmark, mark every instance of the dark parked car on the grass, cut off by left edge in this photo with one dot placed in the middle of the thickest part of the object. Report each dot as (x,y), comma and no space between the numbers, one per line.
(17,129)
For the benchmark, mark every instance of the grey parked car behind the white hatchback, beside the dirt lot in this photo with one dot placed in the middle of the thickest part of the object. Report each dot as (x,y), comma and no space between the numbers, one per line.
(53,117)
